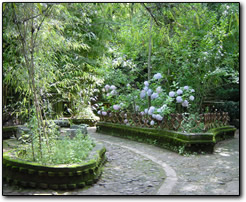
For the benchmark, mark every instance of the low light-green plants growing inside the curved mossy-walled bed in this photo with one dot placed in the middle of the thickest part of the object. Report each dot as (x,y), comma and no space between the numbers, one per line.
(59,151)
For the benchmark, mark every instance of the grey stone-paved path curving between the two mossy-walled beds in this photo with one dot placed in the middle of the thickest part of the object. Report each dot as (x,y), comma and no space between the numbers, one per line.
(140,169)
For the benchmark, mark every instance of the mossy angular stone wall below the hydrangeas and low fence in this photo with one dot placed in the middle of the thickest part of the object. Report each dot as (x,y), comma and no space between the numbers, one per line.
(175,141)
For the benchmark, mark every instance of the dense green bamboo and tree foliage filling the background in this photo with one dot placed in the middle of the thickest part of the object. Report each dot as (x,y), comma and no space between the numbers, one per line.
(58,57)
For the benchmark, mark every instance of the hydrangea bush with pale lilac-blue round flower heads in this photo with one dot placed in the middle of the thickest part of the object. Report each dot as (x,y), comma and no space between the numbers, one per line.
(163,103)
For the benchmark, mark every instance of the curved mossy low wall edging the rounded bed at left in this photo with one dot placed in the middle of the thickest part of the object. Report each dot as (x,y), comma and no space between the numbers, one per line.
(31,174)
